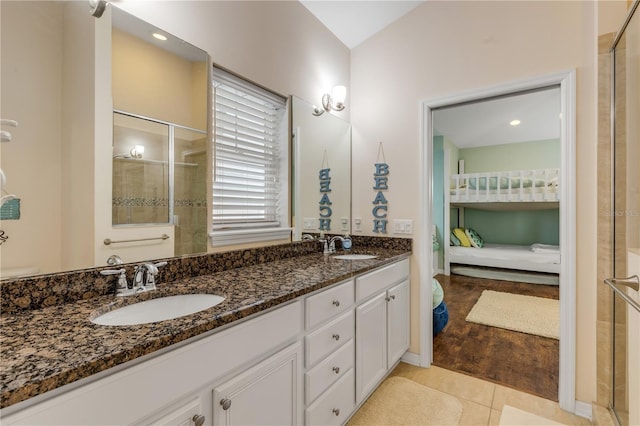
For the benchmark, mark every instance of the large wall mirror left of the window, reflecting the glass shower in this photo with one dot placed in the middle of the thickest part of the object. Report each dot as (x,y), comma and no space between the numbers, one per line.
(155,161)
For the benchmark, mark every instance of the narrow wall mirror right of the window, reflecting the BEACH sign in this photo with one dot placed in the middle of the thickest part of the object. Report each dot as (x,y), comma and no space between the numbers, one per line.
(321,170)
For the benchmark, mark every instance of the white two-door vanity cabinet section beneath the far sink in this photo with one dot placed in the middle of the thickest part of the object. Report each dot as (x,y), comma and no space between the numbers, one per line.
(382,324)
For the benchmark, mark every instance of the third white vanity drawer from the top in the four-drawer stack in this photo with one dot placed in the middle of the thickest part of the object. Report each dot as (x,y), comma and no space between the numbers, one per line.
(323,375)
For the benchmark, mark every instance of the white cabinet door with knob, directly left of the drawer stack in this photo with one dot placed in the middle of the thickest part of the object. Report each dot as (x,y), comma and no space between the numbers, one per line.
(268,394)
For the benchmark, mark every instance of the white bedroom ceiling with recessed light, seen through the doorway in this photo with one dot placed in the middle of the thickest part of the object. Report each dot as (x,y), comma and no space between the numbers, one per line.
(487,122)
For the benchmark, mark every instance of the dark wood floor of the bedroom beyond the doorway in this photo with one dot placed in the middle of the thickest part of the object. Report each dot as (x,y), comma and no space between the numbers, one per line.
(517,360)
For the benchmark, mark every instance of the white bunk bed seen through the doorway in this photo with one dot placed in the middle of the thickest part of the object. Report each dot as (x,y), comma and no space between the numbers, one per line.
(502,190)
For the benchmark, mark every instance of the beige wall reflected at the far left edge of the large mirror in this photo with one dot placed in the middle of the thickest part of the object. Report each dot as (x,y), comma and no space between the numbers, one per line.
(35,54)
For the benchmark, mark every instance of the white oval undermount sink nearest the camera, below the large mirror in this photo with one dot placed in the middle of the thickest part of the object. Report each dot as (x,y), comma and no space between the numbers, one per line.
(160,309)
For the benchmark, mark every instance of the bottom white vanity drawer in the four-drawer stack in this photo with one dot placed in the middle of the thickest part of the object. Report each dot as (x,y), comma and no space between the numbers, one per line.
(335,405)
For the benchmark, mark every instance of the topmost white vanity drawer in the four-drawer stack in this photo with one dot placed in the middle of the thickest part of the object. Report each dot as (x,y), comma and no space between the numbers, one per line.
(328,304)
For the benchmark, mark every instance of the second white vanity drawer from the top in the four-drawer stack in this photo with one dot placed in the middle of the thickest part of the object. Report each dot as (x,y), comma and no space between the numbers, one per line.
(327,339)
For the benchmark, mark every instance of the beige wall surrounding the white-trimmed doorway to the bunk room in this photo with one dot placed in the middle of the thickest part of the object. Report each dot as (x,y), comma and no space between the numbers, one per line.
(444,48)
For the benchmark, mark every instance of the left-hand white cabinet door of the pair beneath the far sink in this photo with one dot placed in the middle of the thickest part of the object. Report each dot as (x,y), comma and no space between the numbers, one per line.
(371,345)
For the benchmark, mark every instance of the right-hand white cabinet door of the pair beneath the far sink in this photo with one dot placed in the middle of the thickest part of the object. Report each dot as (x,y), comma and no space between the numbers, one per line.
(397,321)
